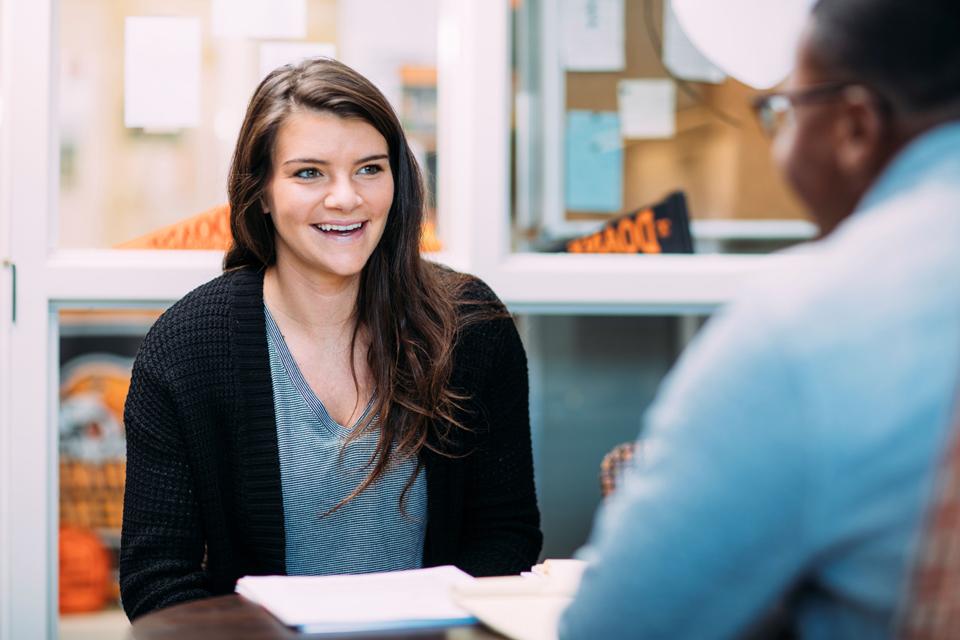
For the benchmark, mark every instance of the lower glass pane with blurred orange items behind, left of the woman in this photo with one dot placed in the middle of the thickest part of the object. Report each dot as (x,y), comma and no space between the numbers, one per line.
(97,348)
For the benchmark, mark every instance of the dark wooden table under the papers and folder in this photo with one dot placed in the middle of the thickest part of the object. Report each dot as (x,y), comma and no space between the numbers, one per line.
(235,618)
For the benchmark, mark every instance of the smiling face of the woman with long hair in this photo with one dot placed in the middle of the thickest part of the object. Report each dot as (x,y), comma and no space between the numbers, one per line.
(329,194)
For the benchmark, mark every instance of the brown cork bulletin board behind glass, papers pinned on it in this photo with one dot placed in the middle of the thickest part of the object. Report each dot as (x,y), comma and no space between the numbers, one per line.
(725,169)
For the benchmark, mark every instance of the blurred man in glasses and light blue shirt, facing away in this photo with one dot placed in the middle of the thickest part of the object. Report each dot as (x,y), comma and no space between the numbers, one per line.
(790,456)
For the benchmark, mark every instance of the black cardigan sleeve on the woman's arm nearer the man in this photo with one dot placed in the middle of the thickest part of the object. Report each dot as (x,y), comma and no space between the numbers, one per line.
(501,518)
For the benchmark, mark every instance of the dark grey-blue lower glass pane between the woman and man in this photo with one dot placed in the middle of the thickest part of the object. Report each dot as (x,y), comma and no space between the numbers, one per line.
(591,379)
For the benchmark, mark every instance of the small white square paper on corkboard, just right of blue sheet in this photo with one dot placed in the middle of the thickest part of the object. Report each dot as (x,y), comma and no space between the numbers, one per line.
(648,108)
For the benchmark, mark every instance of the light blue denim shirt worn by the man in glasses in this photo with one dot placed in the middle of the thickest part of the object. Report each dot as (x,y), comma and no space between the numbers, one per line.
(796,441)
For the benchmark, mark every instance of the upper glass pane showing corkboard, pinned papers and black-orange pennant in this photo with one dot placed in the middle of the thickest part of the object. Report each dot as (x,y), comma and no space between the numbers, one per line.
(598,137)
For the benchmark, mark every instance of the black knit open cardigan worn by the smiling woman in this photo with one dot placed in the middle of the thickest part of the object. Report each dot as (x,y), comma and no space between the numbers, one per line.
(203,503)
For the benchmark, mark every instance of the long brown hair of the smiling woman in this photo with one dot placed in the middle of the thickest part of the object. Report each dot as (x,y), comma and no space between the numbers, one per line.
(413,310)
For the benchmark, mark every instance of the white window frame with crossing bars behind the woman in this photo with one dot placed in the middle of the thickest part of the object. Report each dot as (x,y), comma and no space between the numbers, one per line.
(474,174)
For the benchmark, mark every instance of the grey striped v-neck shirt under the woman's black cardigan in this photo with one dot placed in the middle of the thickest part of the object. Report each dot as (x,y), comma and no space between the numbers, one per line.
(317,471)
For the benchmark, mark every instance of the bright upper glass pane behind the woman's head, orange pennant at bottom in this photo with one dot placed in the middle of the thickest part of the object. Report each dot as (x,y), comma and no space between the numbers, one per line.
(145,169)
